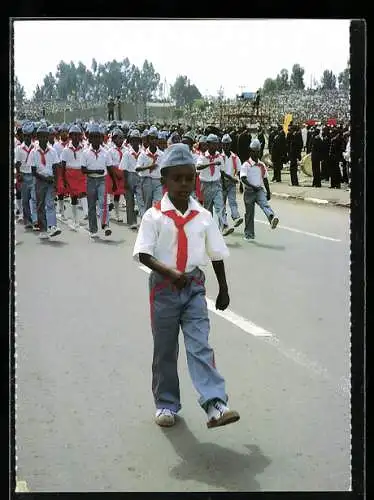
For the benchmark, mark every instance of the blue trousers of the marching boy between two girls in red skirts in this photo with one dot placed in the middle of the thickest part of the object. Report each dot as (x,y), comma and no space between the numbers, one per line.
(96,193)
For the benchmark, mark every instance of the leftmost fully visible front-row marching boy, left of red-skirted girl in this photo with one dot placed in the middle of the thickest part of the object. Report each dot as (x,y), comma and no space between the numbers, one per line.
(44,163)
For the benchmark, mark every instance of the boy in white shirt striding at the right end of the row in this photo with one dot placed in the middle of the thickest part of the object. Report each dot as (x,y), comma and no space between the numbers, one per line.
(254,176)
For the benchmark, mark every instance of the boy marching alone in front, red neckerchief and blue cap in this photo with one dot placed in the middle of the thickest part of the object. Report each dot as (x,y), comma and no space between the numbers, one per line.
(176,237)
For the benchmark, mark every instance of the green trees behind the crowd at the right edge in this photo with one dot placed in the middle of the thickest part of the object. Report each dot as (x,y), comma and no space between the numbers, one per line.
(295,81)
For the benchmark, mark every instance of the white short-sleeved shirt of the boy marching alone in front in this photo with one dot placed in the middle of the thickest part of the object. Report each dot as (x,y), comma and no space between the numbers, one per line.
(158,236)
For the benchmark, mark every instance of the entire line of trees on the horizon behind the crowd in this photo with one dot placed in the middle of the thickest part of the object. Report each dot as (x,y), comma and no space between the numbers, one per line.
(76,82)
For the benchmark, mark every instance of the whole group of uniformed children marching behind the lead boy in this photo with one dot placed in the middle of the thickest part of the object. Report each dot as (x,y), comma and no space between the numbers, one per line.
(95,171)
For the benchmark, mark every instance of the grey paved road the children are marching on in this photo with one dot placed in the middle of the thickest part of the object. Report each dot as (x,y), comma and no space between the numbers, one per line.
(84,406)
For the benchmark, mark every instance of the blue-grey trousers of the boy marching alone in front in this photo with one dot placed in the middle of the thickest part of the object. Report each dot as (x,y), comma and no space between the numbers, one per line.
(171,310)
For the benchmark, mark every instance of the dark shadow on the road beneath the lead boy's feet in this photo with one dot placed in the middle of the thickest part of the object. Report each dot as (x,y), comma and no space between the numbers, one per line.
(213,464)
